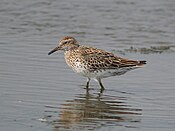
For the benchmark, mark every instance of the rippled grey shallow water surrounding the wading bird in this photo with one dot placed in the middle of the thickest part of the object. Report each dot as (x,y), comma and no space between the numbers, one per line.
(39,92)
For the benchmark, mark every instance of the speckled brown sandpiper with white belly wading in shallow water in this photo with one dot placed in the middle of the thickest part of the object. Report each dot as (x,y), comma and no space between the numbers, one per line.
(92,62)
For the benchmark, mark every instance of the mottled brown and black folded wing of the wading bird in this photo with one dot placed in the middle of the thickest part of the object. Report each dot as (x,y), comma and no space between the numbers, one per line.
(100,59)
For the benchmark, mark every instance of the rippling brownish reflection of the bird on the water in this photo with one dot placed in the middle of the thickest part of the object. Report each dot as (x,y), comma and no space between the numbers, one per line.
(91,111)
